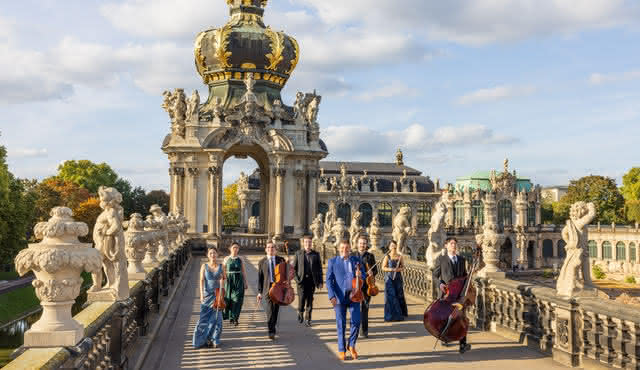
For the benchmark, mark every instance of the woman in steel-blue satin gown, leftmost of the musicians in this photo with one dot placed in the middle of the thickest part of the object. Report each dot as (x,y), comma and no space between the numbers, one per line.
(209,326)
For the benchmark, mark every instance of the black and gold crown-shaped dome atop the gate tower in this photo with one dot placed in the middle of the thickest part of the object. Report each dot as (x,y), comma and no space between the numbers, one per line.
(245,45)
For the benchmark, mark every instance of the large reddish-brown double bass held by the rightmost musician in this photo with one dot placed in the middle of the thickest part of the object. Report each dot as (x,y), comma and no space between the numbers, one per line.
(446,318)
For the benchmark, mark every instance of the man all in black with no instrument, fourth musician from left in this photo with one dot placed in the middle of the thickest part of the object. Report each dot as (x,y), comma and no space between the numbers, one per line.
(308,268)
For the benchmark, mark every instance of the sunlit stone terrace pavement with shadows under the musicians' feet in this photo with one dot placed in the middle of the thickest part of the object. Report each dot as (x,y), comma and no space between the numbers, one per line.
(399,345)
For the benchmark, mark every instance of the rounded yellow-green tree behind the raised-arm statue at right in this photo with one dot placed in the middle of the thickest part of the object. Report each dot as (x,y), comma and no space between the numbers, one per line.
(600,190)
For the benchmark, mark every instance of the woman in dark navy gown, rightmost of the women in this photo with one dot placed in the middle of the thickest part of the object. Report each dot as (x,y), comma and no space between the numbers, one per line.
(395,306)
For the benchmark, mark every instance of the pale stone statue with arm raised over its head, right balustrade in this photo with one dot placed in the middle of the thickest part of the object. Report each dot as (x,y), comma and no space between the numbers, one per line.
(575,274)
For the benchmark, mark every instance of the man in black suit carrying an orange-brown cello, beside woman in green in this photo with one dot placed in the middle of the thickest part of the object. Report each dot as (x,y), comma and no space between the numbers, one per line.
(266,277)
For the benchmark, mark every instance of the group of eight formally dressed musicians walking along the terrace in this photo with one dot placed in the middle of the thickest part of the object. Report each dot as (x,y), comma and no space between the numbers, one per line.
(350,282)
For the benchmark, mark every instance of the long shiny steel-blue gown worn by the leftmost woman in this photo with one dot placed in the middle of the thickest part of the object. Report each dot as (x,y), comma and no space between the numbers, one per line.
(209,326)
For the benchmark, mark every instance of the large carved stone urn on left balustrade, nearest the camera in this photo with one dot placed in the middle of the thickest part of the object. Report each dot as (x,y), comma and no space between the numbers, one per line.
(57,262)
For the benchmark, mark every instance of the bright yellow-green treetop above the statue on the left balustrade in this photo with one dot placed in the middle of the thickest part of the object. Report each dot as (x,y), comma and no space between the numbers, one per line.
(88,174)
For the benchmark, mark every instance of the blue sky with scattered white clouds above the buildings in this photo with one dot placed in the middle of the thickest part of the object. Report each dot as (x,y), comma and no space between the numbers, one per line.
(458,85)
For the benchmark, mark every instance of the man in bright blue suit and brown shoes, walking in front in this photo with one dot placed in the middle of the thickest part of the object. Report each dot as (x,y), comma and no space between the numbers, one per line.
(341,271)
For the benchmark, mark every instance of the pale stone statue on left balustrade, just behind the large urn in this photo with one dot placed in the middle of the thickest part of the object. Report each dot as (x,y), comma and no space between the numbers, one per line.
(108,236)
